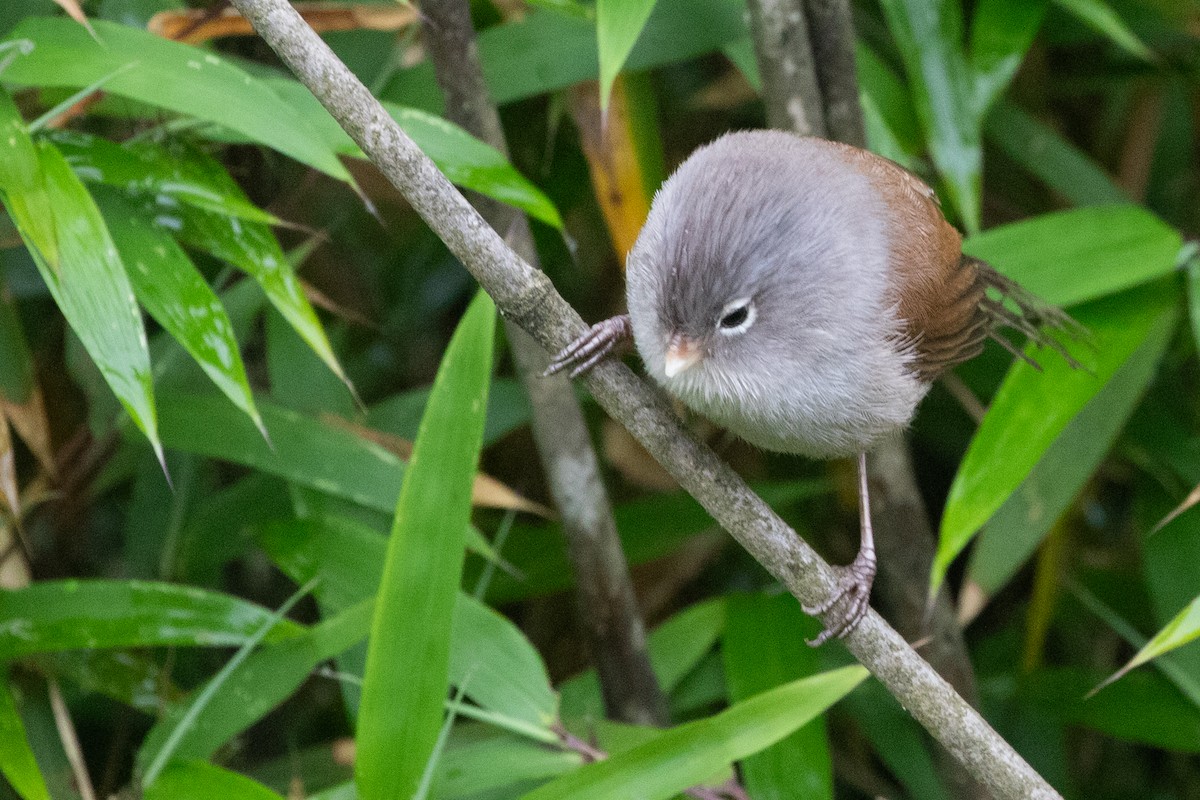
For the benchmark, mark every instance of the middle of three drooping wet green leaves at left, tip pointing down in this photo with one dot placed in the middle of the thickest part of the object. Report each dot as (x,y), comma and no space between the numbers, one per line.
(178,297)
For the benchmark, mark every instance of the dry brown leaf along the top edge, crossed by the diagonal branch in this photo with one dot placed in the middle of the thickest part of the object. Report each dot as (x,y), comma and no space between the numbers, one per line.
(196,26)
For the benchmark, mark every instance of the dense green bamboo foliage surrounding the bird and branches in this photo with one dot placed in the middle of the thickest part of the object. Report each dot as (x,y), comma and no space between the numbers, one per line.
(201,279)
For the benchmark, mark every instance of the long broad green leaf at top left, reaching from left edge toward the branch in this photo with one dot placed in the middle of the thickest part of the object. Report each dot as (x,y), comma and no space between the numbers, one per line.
(167,75)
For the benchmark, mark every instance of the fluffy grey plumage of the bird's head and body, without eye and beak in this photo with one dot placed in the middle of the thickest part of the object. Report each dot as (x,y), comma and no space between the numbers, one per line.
(795,227)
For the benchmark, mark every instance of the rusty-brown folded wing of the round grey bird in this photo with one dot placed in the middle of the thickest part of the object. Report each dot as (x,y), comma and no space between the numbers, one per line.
(928,269)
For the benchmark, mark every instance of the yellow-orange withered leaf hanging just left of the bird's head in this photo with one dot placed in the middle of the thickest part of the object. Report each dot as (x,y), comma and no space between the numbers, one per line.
(613,161)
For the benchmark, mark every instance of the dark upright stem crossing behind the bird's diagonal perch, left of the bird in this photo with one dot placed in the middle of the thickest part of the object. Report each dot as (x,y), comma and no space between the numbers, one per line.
(607,609)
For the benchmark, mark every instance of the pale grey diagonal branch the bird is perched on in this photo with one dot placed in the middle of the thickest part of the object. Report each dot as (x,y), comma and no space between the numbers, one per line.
(527,297)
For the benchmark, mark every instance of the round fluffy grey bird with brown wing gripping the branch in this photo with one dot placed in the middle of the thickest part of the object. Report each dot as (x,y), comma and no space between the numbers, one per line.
(805,294)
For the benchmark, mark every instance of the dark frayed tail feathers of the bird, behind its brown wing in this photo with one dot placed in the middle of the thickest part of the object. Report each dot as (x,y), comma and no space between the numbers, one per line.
(1021,310)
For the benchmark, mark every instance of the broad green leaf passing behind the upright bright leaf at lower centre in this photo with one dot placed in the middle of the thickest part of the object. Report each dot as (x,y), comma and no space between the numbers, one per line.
(489,655)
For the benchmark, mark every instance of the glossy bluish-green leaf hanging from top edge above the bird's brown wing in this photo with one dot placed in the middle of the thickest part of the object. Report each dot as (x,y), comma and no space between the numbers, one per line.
(929,37)
